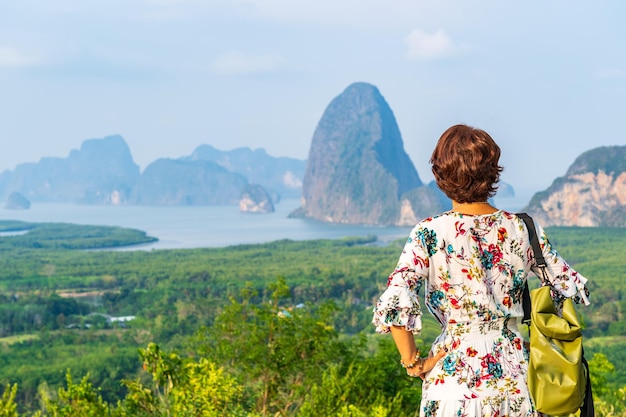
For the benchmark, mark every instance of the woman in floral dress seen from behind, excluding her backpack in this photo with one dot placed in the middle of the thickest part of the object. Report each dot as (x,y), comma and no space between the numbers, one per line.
(473,262)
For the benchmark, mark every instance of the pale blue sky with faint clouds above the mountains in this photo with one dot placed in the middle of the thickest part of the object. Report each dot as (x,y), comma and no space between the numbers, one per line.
(546,78)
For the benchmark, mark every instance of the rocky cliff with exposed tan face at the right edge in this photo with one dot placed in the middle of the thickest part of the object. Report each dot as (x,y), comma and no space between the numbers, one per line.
(592,192)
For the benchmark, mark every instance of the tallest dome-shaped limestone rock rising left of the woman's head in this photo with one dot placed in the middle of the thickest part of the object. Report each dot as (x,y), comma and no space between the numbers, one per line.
(358,171)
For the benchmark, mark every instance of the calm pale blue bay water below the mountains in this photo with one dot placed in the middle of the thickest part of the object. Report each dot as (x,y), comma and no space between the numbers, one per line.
(206,226)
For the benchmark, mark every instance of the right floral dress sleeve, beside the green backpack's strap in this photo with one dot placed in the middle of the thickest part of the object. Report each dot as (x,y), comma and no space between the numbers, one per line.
(562,278)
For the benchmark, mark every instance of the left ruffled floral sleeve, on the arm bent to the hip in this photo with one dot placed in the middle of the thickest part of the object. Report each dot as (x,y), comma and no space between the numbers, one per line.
(399,303)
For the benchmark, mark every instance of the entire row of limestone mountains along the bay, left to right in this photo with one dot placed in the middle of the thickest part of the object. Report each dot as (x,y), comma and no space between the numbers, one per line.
(357,172)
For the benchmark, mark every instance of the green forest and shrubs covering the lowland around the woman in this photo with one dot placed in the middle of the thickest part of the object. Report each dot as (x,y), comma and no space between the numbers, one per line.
(273,329)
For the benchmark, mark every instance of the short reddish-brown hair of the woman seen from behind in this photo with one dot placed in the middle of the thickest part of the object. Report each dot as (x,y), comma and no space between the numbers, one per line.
(465,164)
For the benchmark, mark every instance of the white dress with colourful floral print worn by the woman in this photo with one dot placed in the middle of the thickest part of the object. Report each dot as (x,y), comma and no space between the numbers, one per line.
(474,268)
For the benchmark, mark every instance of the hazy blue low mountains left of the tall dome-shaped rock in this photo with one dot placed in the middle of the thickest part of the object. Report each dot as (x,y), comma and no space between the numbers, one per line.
(102,171)
